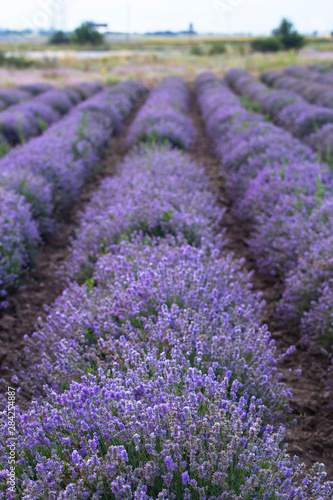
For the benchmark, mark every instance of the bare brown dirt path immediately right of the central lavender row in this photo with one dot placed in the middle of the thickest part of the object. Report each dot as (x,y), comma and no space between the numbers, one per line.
(311,436)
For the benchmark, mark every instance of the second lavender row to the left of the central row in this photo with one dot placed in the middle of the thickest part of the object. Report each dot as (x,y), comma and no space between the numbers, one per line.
(21,122)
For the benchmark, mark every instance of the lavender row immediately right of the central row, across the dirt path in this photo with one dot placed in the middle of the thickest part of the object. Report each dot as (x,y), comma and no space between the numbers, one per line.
(285,195)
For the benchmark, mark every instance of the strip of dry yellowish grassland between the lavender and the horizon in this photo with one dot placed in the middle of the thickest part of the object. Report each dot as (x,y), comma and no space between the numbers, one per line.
(148,58)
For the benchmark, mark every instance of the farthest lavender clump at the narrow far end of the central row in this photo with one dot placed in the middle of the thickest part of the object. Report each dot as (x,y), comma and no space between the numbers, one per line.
(163,117)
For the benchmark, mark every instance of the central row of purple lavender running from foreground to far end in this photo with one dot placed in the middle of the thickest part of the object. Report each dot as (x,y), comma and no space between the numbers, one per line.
(157,370)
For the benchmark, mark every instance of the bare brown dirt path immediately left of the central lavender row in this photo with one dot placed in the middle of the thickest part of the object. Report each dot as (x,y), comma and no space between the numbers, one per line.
(43,284)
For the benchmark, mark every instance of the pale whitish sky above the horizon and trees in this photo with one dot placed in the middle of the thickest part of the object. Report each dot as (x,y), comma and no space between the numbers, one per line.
(217,16)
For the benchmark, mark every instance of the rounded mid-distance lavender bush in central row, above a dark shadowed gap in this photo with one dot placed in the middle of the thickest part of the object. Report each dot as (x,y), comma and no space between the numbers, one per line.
(139,200)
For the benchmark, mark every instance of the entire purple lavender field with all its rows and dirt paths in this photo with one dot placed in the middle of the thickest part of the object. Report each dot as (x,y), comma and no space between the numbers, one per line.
(185,351)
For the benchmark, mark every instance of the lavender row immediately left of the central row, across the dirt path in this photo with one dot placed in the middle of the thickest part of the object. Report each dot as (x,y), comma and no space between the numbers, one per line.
(43,177)
